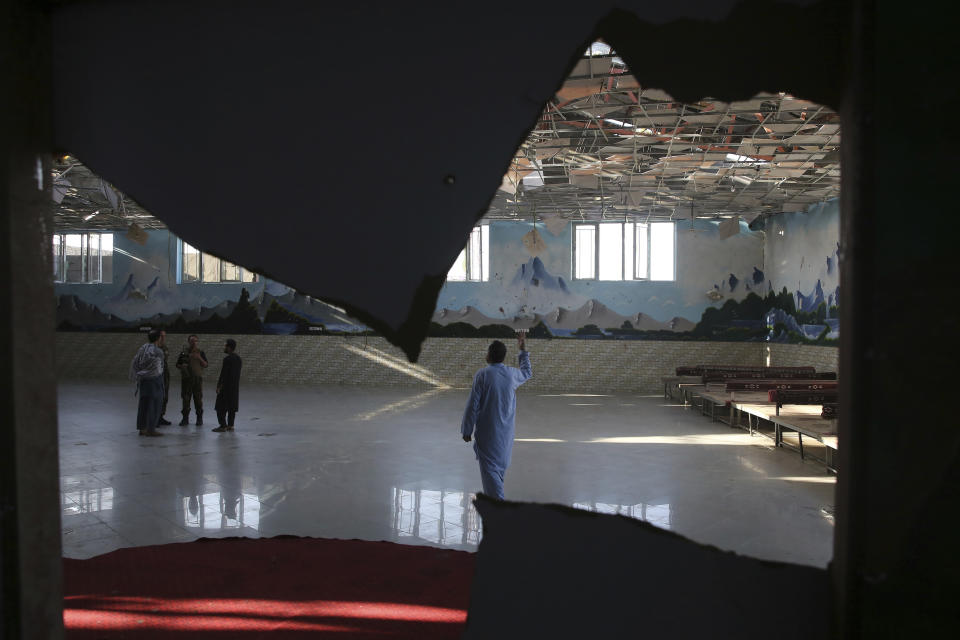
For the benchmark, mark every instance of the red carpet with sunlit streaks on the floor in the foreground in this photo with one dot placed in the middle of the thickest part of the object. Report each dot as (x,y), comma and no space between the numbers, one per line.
(282,587)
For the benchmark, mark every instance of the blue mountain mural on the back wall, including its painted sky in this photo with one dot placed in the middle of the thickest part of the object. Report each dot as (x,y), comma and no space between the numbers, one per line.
(781,284)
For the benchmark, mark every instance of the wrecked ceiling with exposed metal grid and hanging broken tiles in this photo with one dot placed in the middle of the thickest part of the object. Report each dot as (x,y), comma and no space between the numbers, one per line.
(607,147)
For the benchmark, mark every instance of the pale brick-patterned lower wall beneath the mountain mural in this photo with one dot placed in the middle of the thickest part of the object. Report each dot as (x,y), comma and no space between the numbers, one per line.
(569,366)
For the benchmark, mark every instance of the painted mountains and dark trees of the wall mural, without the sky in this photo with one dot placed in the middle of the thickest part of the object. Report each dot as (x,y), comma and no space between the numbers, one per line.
(780,317)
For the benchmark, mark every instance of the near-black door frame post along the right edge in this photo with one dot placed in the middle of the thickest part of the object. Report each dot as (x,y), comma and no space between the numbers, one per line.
(896,570)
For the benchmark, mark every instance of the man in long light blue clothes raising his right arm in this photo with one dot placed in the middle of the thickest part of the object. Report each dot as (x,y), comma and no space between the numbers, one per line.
(491,410)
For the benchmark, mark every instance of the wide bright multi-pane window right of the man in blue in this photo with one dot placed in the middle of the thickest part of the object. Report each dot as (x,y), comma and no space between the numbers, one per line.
(624,251)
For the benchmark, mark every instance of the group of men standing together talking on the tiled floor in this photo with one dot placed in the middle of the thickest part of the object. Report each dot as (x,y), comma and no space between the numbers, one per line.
(150,370)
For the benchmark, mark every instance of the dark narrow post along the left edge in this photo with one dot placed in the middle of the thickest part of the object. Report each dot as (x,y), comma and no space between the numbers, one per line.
(30,564)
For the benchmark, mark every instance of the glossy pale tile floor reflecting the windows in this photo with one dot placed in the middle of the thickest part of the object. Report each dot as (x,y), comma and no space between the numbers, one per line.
(389,464)
